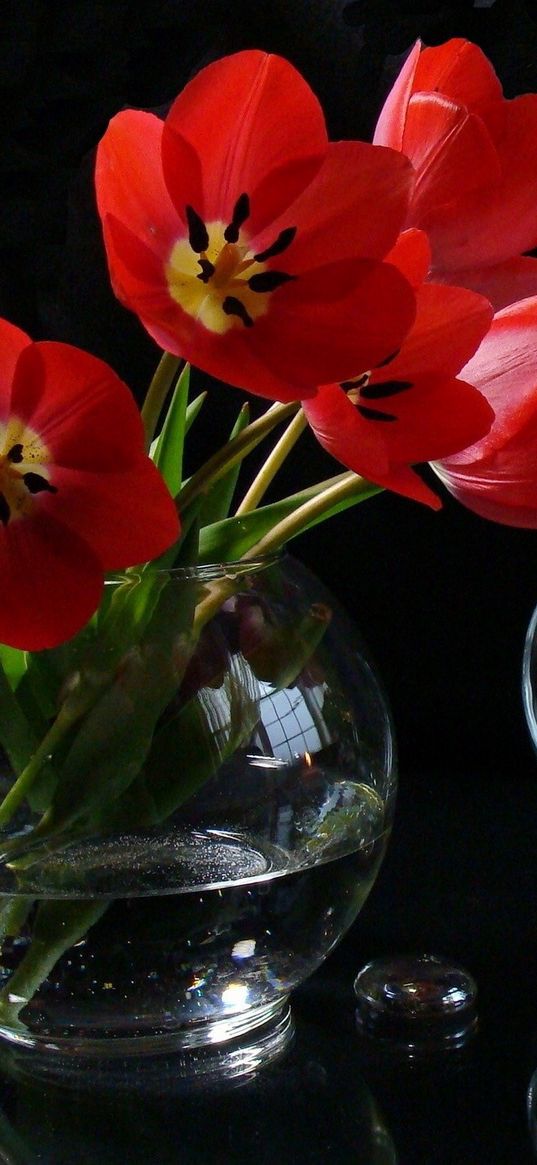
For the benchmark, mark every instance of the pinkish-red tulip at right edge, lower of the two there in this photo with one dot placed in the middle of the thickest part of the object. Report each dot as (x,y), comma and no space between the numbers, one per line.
(498,476)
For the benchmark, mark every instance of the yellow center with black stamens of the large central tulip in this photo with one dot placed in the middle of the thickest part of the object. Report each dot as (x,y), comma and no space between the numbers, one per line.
(216,279)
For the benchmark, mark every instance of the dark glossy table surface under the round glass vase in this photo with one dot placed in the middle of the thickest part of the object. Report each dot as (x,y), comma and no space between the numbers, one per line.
(461,880)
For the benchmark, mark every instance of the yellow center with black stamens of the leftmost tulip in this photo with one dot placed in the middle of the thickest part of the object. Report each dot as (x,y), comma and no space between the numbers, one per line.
(24,470)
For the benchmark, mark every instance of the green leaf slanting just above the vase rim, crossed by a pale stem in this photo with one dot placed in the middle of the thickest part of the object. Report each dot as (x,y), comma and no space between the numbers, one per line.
(229,540)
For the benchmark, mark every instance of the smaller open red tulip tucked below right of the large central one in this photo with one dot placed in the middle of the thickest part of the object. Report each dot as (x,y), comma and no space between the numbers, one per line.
(398,414)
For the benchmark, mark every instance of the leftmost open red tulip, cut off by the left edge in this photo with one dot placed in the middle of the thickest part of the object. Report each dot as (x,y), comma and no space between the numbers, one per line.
(79,497)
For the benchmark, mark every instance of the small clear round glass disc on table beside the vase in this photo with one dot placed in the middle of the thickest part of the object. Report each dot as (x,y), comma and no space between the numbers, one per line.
(416,1002)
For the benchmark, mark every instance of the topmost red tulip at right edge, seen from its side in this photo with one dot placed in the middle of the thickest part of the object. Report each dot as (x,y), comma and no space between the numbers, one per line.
(476,157)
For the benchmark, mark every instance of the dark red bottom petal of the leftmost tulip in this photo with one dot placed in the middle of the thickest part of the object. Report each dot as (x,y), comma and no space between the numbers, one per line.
(51,580)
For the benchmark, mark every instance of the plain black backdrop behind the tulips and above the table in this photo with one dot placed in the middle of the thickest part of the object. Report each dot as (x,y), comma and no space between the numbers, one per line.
(443,601)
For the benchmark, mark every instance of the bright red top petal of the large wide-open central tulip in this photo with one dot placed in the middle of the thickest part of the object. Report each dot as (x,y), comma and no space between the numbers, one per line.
(245,117)
